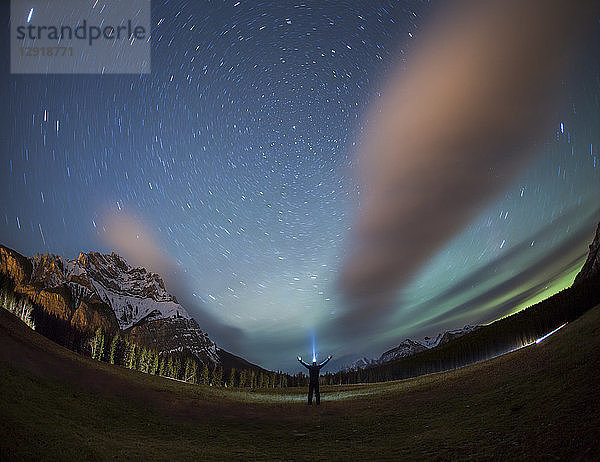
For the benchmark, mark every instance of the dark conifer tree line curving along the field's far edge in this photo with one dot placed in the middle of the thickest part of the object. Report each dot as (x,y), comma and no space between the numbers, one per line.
(502,336)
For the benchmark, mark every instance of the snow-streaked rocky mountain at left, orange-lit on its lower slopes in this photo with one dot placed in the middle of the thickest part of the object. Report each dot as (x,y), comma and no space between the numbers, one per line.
(97,290)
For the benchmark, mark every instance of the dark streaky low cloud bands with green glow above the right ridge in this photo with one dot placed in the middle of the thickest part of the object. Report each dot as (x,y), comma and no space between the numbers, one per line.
(489,292)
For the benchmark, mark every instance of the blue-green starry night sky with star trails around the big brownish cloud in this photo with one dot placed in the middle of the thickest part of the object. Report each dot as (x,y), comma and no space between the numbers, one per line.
(234,159)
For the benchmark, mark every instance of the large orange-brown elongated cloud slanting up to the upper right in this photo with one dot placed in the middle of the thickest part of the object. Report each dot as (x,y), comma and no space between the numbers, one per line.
(451,131)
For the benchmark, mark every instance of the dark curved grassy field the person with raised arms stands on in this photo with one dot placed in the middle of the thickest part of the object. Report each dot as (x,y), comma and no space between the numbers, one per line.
(537,403)
